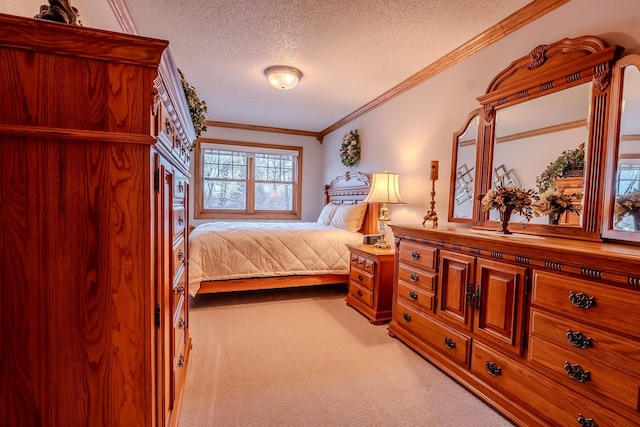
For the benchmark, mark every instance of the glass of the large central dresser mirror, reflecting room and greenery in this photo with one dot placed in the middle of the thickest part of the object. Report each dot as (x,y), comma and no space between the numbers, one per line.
(552,131)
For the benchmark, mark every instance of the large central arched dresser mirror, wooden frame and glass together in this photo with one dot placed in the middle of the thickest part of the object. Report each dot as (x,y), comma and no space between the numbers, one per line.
(553,101)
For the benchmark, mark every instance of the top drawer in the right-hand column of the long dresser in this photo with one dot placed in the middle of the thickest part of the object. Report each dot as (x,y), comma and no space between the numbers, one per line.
(602,305)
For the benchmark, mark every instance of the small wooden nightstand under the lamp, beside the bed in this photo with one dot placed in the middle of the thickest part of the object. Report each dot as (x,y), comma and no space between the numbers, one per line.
(371,281)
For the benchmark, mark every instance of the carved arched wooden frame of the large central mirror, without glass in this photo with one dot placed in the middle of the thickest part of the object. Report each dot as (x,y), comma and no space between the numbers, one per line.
(549,69)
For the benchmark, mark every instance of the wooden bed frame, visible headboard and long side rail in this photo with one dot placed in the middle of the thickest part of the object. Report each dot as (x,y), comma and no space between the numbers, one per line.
(352,187)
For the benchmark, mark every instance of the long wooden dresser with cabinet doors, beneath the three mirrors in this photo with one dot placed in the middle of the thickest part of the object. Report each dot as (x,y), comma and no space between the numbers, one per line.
(543,329)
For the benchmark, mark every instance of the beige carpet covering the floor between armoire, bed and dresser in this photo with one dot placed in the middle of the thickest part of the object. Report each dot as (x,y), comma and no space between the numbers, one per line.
(301,357)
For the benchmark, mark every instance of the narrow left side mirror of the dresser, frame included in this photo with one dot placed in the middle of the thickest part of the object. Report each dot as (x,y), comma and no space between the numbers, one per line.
(463,170)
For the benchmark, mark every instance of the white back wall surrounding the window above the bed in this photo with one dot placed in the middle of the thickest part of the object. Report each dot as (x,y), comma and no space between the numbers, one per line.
(312,165)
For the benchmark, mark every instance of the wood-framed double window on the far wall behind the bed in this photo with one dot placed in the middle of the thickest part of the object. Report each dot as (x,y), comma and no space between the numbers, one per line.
(247,181)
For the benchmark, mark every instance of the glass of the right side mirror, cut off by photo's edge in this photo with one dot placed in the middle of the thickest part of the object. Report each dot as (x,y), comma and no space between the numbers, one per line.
(627,206)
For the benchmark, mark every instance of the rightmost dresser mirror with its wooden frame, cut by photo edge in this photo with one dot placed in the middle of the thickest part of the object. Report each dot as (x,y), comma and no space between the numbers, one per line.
(622,207)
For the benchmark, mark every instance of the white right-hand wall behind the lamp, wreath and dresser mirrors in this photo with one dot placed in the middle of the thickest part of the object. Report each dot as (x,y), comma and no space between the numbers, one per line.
(409,131)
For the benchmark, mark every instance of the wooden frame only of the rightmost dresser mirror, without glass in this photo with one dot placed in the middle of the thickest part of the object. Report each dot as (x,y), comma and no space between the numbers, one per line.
(618,98)
